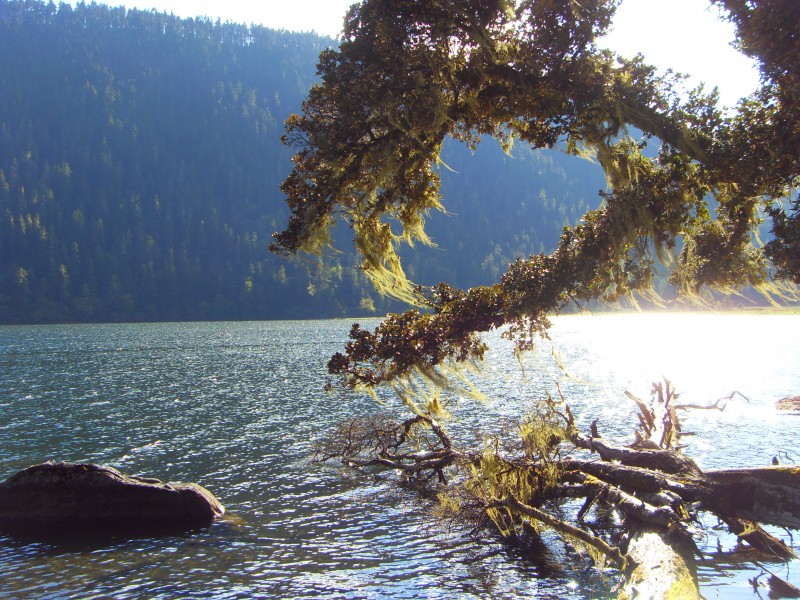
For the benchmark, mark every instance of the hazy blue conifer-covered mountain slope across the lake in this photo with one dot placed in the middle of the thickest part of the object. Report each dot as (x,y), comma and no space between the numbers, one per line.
(140,164)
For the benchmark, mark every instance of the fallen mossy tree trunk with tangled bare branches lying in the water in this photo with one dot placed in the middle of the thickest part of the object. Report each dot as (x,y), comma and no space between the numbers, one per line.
(516,487)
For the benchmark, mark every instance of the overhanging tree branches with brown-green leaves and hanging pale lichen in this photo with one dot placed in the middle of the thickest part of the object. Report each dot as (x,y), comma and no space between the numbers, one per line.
(408,76)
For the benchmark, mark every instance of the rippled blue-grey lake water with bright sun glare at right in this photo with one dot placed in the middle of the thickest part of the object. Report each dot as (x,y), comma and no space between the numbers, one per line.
(237,406)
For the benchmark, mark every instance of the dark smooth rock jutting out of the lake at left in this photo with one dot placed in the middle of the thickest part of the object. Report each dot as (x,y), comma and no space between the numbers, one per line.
(87,495)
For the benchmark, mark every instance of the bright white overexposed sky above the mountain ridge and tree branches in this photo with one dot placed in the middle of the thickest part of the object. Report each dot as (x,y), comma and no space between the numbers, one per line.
(683,34)
